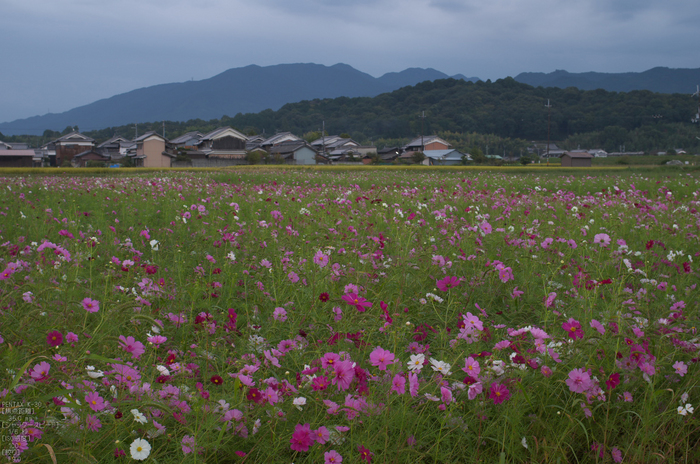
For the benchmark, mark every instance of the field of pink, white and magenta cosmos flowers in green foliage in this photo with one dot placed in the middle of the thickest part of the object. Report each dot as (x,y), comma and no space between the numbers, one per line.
(358,316)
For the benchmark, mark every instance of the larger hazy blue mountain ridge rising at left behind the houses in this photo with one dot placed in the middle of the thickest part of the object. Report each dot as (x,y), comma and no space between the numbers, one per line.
(249,89)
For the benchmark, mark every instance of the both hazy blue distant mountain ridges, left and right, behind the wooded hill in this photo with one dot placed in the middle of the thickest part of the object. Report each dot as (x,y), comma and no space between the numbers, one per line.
(253,88)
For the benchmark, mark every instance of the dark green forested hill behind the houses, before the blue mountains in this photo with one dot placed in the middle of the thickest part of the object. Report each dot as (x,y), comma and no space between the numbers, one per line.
(640,120)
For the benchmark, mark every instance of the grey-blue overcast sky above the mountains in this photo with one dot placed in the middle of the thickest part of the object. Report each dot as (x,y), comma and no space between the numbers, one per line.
(59,54)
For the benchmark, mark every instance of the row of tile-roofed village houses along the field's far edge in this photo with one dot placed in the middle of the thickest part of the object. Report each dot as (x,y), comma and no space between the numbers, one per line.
(221,147)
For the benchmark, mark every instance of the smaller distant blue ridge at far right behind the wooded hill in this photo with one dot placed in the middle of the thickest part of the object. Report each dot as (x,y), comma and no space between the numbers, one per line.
(661,80)
